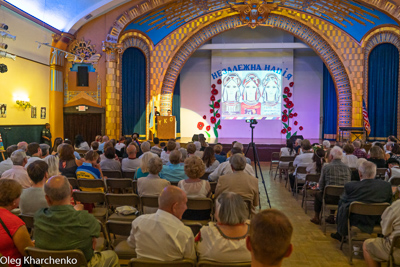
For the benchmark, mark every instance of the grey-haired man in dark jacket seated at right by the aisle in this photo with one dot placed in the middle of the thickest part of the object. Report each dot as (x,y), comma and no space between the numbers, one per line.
(367,190)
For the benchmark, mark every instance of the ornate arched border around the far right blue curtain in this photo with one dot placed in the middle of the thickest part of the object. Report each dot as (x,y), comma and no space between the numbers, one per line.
(371,42)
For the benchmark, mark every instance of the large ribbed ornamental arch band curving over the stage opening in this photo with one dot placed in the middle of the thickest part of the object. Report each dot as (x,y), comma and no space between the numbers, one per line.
(301,31)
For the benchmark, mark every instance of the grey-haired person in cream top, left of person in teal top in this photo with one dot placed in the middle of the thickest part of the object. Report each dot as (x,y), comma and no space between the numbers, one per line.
(152,185)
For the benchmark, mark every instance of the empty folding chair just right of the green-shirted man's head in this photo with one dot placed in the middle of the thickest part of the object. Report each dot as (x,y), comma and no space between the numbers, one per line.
(93,198)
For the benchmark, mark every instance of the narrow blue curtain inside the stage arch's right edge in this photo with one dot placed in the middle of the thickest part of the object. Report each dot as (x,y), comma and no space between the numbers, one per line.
(330,106)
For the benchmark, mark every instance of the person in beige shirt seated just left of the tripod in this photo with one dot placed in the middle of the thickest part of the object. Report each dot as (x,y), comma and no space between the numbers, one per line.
(239,181)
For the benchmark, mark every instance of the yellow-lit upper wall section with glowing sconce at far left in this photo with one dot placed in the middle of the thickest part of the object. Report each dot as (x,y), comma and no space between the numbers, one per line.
(27,79)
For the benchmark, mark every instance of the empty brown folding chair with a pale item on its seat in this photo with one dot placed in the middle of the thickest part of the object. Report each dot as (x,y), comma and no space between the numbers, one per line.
(118,200)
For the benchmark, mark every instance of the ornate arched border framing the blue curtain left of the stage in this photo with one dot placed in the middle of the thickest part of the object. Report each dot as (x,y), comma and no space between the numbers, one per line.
(143,43)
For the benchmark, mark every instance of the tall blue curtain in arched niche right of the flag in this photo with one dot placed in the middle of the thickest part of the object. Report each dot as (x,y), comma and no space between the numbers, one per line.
(383,72)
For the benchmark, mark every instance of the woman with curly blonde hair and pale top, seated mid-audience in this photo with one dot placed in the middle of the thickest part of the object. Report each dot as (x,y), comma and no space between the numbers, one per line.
(194,187)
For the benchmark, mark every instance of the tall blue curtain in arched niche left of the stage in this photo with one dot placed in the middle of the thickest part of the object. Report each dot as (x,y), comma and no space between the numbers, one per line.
(133,92)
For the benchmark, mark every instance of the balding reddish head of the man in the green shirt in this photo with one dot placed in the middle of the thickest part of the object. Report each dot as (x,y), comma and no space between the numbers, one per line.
(58,189)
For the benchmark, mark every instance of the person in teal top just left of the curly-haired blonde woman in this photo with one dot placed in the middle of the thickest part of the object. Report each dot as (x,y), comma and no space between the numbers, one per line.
(174,171)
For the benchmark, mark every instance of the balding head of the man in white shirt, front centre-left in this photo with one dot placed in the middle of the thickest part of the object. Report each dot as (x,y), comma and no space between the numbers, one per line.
(173,200)
